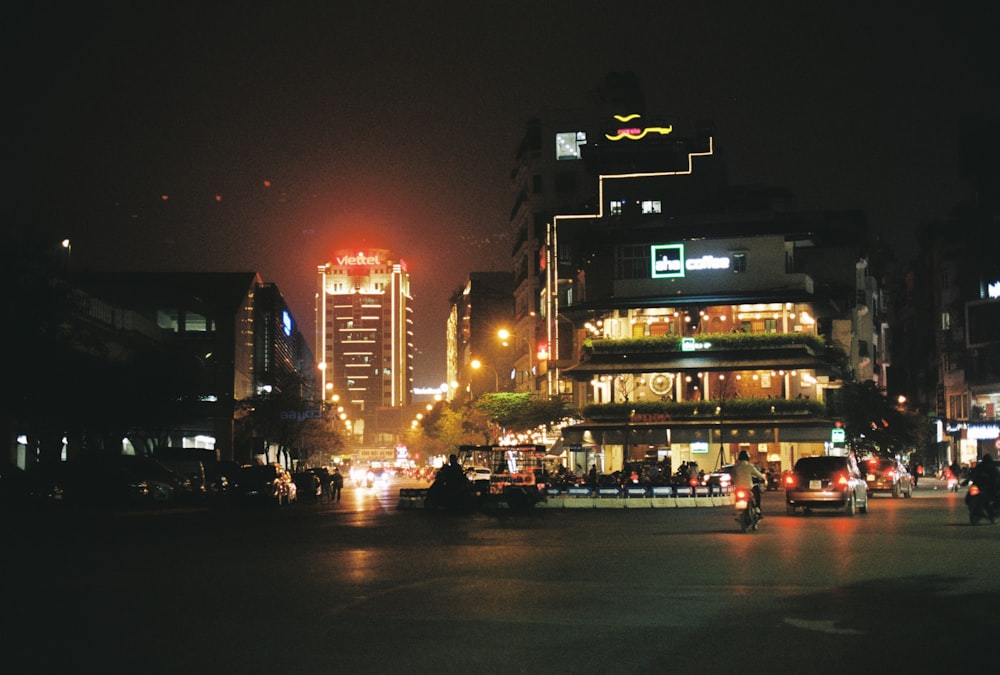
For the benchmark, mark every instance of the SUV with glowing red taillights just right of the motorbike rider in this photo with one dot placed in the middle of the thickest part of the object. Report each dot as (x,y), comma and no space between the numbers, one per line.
(826,482)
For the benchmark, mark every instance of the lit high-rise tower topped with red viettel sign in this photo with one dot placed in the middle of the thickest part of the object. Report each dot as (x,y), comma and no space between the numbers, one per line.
(364,340)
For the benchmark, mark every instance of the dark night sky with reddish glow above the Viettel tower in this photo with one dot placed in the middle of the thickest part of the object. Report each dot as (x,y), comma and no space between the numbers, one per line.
(282,132)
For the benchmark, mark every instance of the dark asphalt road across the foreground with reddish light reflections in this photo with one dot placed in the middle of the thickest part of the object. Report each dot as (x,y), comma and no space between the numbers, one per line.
(364,587)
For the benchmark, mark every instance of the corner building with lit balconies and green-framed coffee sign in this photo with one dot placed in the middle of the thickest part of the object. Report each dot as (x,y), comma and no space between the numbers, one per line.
(691,319)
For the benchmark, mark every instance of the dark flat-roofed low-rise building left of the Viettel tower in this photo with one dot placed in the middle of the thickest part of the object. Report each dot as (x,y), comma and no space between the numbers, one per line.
(236,332)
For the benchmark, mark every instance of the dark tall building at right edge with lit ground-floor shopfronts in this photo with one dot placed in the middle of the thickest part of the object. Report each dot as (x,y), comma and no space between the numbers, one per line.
(958,279)
